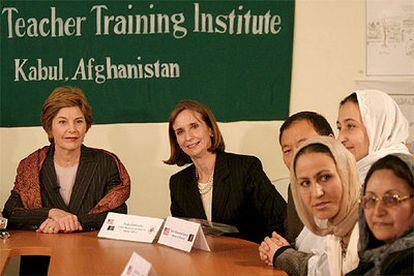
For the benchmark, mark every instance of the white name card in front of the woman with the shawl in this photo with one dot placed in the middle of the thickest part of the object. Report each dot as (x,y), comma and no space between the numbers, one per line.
(130,228)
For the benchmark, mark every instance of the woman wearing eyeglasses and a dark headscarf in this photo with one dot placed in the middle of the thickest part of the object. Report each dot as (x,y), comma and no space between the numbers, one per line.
(386,220)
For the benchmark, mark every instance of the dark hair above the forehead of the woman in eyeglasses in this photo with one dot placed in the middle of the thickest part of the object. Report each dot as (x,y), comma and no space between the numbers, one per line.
(396,165)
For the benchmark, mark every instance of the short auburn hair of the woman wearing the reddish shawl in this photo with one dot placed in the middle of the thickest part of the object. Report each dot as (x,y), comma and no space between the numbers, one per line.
(61,97)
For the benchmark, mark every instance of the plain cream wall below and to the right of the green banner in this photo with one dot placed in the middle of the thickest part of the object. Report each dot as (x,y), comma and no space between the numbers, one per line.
(329,54)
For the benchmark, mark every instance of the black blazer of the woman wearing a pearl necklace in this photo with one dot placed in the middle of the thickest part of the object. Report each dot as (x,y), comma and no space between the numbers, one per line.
(242,196)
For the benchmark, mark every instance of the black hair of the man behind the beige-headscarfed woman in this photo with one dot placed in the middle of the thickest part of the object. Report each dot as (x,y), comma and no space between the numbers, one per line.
(319,123)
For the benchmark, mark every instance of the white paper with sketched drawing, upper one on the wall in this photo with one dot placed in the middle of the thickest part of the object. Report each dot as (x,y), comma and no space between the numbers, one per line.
(390,37)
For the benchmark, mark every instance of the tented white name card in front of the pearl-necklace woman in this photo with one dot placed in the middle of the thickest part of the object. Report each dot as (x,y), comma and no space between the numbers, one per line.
(182,234)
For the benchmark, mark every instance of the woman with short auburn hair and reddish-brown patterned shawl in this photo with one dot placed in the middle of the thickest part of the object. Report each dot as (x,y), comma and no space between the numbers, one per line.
(67,187)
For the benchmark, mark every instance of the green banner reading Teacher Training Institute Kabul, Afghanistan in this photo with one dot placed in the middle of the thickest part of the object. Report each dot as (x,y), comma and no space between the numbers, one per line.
(136,59)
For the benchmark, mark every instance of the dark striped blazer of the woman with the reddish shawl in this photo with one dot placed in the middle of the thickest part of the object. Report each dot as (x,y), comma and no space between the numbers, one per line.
(97,174)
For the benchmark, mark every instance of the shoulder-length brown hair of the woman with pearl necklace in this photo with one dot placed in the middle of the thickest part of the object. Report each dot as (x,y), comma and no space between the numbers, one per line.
(177,156)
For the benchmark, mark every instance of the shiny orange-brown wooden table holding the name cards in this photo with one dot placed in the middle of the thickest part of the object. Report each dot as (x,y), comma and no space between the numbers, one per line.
(85,254)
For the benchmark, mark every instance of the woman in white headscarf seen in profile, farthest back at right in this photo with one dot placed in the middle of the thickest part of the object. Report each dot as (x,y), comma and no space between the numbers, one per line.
(371,126)
